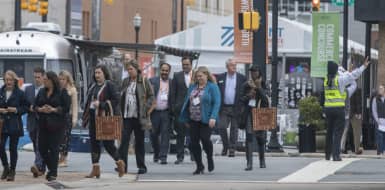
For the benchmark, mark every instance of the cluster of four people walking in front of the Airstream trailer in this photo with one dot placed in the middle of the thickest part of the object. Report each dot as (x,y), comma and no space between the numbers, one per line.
(50,103)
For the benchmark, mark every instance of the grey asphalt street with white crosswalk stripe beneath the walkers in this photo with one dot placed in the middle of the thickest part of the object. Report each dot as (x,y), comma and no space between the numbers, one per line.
(281,173)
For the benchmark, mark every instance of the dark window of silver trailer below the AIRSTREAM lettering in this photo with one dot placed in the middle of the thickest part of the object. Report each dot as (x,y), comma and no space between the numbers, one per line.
(22,67)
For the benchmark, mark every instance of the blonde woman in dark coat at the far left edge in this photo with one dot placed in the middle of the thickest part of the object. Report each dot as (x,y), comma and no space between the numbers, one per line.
(12,106)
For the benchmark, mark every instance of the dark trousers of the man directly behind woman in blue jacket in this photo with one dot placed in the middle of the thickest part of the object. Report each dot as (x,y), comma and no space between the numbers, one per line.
(182,134)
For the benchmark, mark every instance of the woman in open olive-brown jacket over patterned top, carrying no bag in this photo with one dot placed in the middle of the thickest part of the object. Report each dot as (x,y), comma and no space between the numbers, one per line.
(136,101)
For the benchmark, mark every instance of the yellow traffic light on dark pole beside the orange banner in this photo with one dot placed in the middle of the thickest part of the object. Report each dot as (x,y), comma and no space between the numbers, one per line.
(249,20)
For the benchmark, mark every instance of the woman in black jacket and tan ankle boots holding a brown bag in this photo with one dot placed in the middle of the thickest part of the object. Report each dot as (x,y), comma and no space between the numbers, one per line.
(99,95)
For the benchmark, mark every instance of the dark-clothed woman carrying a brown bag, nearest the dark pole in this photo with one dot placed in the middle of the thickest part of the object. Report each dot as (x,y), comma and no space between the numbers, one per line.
(252,96)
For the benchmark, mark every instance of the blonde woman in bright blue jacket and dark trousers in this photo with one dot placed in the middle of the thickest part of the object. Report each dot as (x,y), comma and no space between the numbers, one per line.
(200,112)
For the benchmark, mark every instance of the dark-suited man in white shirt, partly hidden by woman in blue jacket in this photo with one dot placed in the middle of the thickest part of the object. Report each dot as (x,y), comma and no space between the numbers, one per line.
(180,83)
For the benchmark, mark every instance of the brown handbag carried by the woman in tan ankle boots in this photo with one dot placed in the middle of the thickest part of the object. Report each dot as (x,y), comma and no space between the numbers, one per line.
(108,127)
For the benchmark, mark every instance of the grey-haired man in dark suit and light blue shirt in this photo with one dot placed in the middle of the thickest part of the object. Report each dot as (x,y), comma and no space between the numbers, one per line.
(230,84)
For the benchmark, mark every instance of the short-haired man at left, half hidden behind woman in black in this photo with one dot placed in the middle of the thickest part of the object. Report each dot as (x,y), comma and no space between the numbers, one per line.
(31,91)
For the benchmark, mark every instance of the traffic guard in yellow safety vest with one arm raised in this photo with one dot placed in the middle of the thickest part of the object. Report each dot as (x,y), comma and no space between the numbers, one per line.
(334,106)
